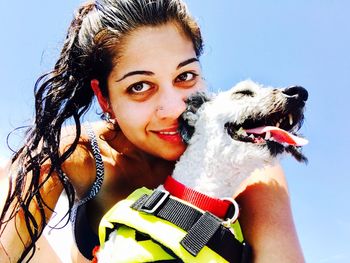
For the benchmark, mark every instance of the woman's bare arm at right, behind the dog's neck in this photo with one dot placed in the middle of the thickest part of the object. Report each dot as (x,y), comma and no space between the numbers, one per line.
(266,217)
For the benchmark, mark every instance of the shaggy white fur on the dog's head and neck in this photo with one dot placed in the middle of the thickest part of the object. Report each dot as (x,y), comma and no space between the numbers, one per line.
(214,163)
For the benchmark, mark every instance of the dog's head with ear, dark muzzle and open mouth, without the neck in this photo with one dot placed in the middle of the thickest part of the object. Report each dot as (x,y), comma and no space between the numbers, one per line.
(263,117)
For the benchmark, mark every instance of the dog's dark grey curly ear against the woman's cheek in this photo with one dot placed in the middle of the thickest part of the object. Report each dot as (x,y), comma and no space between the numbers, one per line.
(189,117)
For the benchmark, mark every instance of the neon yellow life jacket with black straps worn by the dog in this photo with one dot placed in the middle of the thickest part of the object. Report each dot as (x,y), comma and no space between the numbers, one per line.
(143,229)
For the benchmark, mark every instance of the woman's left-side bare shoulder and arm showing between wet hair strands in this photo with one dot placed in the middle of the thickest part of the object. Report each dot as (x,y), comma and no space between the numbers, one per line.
(79,168)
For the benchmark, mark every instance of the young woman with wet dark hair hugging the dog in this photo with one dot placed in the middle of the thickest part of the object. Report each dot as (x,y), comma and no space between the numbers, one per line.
(140,58)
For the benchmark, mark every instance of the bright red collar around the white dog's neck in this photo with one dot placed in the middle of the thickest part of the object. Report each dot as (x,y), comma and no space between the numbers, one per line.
(213,205)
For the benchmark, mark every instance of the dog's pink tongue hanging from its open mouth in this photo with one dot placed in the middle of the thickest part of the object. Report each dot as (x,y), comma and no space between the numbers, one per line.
(279,135)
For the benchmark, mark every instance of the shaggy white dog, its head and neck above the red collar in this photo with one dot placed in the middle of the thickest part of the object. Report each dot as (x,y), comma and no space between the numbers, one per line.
(232,134)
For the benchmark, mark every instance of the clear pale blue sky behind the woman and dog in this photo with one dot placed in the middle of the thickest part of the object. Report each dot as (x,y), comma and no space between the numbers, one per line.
(277,43)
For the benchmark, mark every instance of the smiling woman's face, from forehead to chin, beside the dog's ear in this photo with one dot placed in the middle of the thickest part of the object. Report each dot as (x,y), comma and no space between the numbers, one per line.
(157,70)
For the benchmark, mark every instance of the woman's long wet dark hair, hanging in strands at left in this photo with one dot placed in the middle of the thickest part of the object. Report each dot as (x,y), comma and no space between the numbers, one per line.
(89,52)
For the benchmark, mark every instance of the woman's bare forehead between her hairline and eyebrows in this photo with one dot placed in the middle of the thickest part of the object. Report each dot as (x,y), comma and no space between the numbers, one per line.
(151,46)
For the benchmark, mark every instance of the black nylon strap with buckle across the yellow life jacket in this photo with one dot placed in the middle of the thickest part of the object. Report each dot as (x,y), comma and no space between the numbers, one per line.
(203,229)
